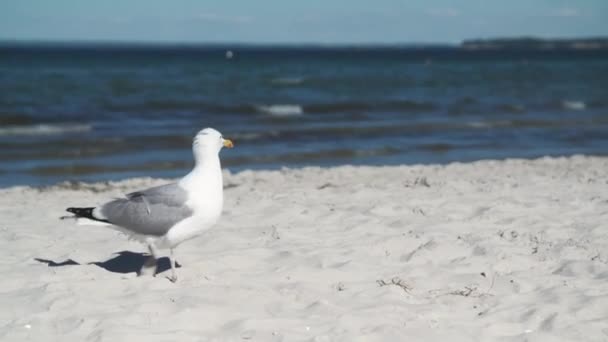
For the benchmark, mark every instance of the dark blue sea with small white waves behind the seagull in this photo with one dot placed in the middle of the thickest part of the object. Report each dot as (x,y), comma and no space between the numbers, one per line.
(100,112)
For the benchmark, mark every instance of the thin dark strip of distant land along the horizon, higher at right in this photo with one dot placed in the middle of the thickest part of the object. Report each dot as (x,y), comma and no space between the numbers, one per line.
(506,43)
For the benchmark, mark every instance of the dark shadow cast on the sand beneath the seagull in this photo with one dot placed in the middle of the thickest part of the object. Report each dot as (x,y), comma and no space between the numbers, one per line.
(124,262)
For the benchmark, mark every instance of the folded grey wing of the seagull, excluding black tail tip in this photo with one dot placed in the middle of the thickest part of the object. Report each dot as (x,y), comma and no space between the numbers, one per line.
(149,212)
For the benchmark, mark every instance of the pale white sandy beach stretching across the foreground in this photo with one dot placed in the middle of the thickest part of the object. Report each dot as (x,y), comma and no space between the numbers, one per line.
(492,250)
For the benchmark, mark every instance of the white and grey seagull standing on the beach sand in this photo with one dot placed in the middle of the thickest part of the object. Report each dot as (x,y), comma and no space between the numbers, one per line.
(165,216)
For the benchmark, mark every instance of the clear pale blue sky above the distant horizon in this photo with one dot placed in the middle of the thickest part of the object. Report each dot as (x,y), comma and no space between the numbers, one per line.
(288,21)
